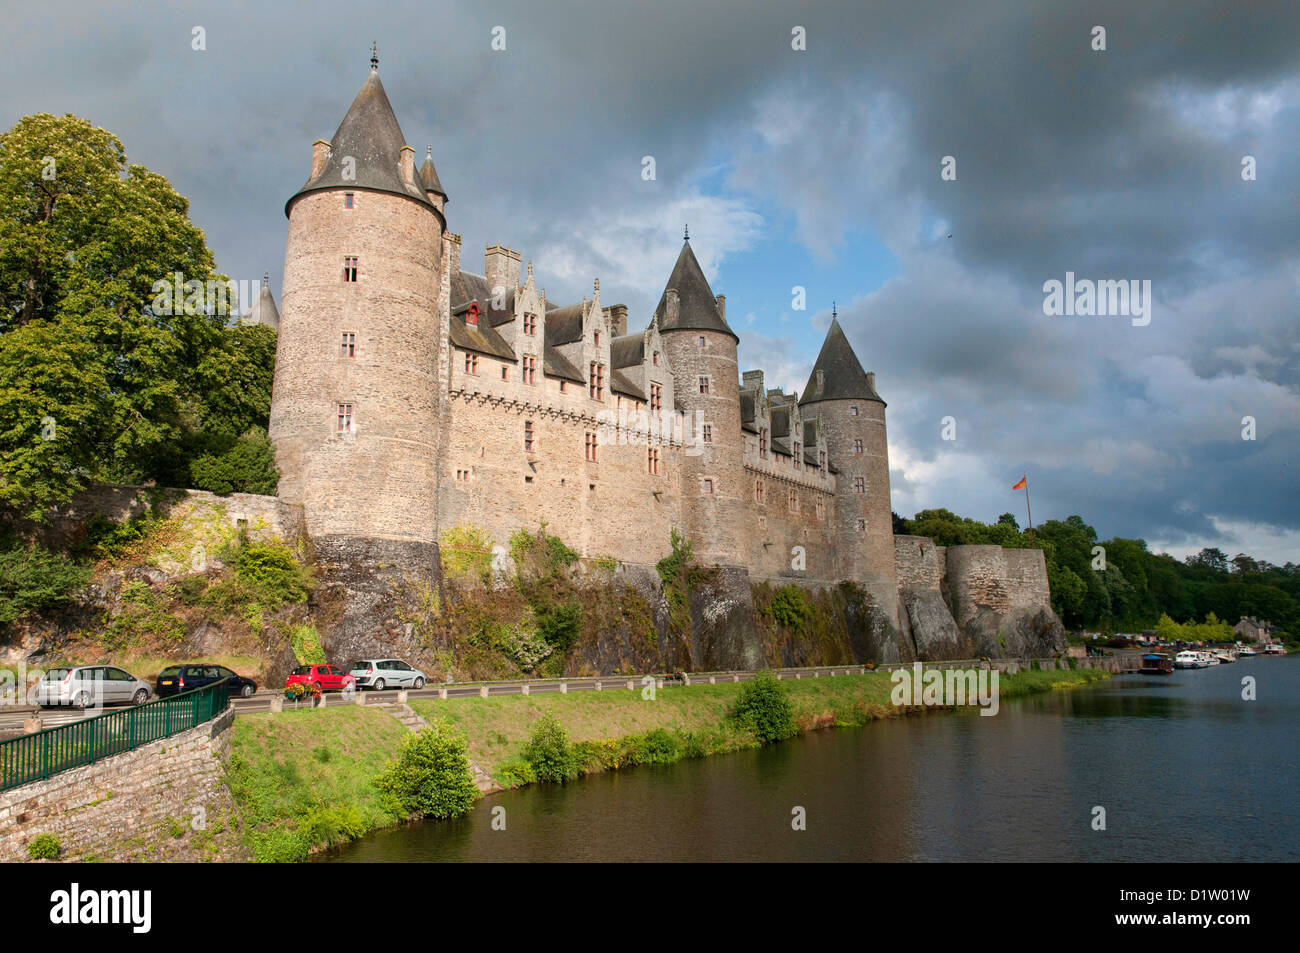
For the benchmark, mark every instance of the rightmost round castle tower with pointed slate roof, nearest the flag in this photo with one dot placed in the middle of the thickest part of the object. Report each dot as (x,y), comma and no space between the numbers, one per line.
(852,427)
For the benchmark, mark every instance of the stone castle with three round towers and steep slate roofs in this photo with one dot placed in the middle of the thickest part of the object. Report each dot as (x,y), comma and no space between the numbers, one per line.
(413,396)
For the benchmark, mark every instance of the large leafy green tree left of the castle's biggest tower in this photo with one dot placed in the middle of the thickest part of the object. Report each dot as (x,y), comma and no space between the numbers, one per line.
(94,384)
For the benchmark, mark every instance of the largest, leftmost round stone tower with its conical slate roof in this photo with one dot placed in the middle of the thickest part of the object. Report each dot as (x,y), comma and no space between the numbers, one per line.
(356,405)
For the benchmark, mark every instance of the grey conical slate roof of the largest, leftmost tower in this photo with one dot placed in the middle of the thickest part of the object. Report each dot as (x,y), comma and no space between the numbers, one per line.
(371,137)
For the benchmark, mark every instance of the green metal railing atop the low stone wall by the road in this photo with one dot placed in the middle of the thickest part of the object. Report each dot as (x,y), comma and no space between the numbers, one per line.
(46,753)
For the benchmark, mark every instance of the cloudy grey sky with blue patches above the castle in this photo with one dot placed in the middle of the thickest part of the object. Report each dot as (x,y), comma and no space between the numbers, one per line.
(818,170)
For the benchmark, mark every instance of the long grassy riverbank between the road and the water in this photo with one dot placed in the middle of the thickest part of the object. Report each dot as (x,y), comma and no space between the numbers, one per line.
(304,781)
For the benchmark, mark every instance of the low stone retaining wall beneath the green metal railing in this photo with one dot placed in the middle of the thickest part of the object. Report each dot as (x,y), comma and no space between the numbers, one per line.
(128,805)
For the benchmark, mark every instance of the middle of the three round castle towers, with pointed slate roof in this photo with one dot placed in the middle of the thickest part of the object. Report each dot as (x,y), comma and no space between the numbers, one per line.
(701,352)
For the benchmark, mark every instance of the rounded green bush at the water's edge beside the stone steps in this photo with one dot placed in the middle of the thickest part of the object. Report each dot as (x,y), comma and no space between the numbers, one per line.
(431,777)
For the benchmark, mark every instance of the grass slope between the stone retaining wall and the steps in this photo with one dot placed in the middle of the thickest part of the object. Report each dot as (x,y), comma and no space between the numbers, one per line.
(305,779)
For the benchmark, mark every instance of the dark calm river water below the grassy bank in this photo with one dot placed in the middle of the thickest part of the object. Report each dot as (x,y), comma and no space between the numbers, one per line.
(1185,769)
